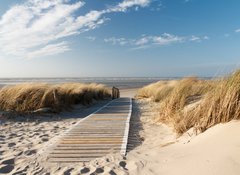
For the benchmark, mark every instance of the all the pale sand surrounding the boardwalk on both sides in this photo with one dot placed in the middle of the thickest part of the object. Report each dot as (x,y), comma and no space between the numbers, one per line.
(216,151)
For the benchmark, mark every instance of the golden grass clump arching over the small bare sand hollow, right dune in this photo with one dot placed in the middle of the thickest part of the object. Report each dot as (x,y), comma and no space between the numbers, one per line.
(188,91)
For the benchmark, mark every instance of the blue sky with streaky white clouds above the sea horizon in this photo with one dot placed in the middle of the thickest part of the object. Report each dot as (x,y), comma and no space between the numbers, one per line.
(121,38)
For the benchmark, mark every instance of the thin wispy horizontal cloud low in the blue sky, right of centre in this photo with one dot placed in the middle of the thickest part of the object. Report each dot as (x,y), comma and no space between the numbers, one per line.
(147,41)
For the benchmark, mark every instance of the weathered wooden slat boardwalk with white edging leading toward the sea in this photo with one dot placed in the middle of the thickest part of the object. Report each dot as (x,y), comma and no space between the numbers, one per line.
(103,132)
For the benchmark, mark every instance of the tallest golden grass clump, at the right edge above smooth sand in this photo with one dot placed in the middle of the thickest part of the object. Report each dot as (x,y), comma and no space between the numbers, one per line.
(222,104)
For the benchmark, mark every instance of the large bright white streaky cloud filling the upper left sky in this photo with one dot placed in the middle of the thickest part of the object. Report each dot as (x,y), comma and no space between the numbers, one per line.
(38,27)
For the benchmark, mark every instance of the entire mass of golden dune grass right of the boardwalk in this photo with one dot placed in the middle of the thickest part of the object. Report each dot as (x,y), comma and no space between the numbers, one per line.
(192,102)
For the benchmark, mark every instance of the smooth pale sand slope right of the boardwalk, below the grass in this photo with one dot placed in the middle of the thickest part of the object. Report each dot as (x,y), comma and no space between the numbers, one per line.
(216,151)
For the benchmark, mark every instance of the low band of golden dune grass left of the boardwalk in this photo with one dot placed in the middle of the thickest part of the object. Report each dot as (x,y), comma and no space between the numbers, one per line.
(33,96)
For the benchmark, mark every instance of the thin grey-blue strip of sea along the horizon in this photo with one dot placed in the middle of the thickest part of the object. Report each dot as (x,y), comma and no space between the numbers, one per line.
(119,82)
